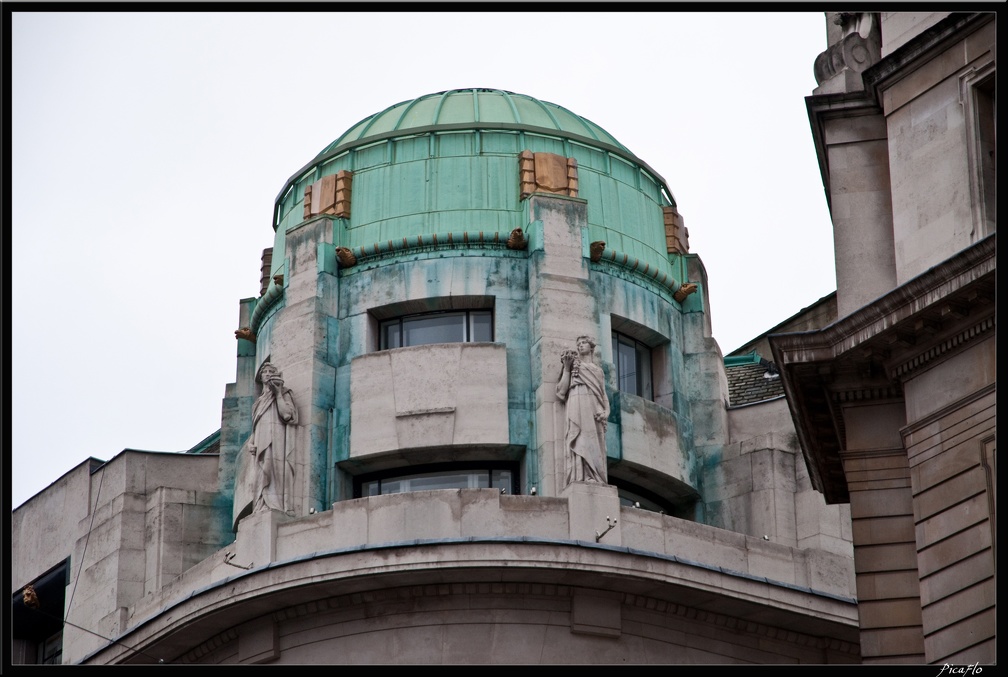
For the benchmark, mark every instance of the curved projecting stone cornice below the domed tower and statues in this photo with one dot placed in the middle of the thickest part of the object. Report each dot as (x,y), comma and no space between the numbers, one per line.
(308,584)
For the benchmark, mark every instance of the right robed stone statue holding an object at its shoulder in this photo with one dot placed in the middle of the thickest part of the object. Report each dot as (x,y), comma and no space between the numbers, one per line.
(582,387)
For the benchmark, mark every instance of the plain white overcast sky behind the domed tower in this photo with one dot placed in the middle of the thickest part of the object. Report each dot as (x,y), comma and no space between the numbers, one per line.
(148,150)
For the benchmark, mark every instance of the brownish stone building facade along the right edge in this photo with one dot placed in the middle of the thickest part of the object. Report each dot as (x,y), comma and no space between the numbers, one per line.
(895,402)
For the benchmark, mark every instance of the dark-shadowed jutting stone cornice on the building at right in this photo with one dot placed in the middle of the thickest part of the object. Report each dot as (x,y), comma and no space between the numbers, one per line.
(867,355)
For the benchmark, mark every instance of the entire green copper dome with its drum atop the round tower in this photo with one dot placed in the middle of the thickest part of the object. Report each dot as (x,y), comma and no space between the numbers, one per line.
(449,163)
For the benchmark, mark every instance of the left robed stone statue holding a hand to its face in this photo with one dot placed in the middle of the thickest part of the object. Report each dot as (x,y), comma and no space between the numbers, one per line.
(273,443)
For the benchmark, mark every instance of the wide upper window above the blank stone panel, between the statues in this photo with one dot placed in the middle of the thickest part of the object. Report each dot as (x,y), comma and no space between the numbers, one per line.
(437,328)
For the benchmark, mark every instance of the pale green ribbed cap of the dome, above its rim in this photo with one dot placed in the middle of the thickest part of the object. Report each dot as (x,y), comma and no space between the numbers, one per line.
(473,109)
